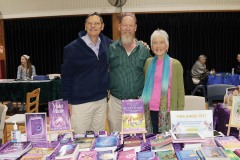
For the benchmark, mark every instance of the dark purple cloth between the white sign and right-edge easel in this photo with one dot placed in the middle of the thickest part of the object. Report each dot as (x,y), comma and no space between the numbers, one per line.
(221,116)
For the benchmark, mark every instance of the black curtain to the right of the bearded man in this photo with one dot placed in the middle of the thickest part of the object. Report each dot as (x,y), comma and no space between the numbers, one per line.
(215,34)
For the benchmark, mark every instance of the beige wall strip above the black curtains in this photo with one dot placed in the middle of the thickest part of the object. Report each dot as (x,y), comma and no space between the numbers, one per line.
(41,8)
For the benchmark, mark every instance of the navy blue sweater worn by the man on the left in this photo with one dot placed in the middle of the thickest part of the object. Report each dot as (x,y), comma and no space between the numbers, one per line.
(84,76)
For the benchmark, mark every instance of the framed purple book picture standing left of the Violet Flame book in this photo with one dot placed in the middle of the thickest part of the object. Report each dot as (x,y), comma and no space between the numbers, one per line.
(36,127)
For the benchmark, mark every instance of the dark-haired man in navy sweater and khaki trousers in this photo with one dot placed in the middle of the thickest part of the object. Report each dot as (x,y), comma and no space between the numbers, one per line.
(85,78)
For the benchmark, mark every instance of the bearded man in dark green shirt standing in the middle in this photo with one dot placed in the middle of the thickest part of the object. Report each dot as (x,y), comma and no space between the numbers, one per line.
(127,57)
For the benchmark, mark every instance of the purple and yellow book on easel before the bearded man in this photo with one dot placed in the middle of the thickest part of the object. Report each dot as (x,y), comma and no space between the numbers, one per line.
(133,115)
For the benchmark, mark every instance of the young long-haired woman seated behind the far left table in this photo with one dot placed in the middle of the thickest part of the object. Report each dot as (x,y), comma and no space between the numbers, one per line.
(26,70)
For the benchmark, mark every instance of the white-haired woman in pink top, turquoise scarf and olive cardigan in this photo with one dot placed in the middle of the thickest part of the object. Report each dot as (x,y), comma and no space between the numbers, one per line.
(164,88)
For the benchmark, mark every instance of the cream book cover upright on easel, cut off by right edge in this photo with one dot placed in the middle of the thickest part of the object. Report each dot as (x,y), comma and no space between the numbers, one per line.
(235,111)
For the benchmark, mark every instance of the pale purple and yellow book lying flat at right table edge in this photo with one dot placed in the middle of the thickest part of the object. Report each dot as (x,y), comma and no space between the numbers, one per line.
(228,142)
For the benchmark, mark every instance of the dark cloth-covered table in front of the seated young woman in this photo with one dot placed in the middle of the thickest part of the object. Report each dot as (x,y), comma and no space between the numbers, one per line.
(15,91)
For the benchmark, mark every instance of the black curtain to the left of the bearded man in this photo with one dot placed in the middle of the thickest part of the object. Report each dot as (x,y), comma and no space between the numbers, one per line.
(43,39)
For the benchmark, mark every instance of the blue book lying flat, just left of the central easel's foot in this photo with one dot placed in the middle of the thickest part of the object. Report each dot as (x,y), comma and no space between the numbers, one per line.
(106,143)
